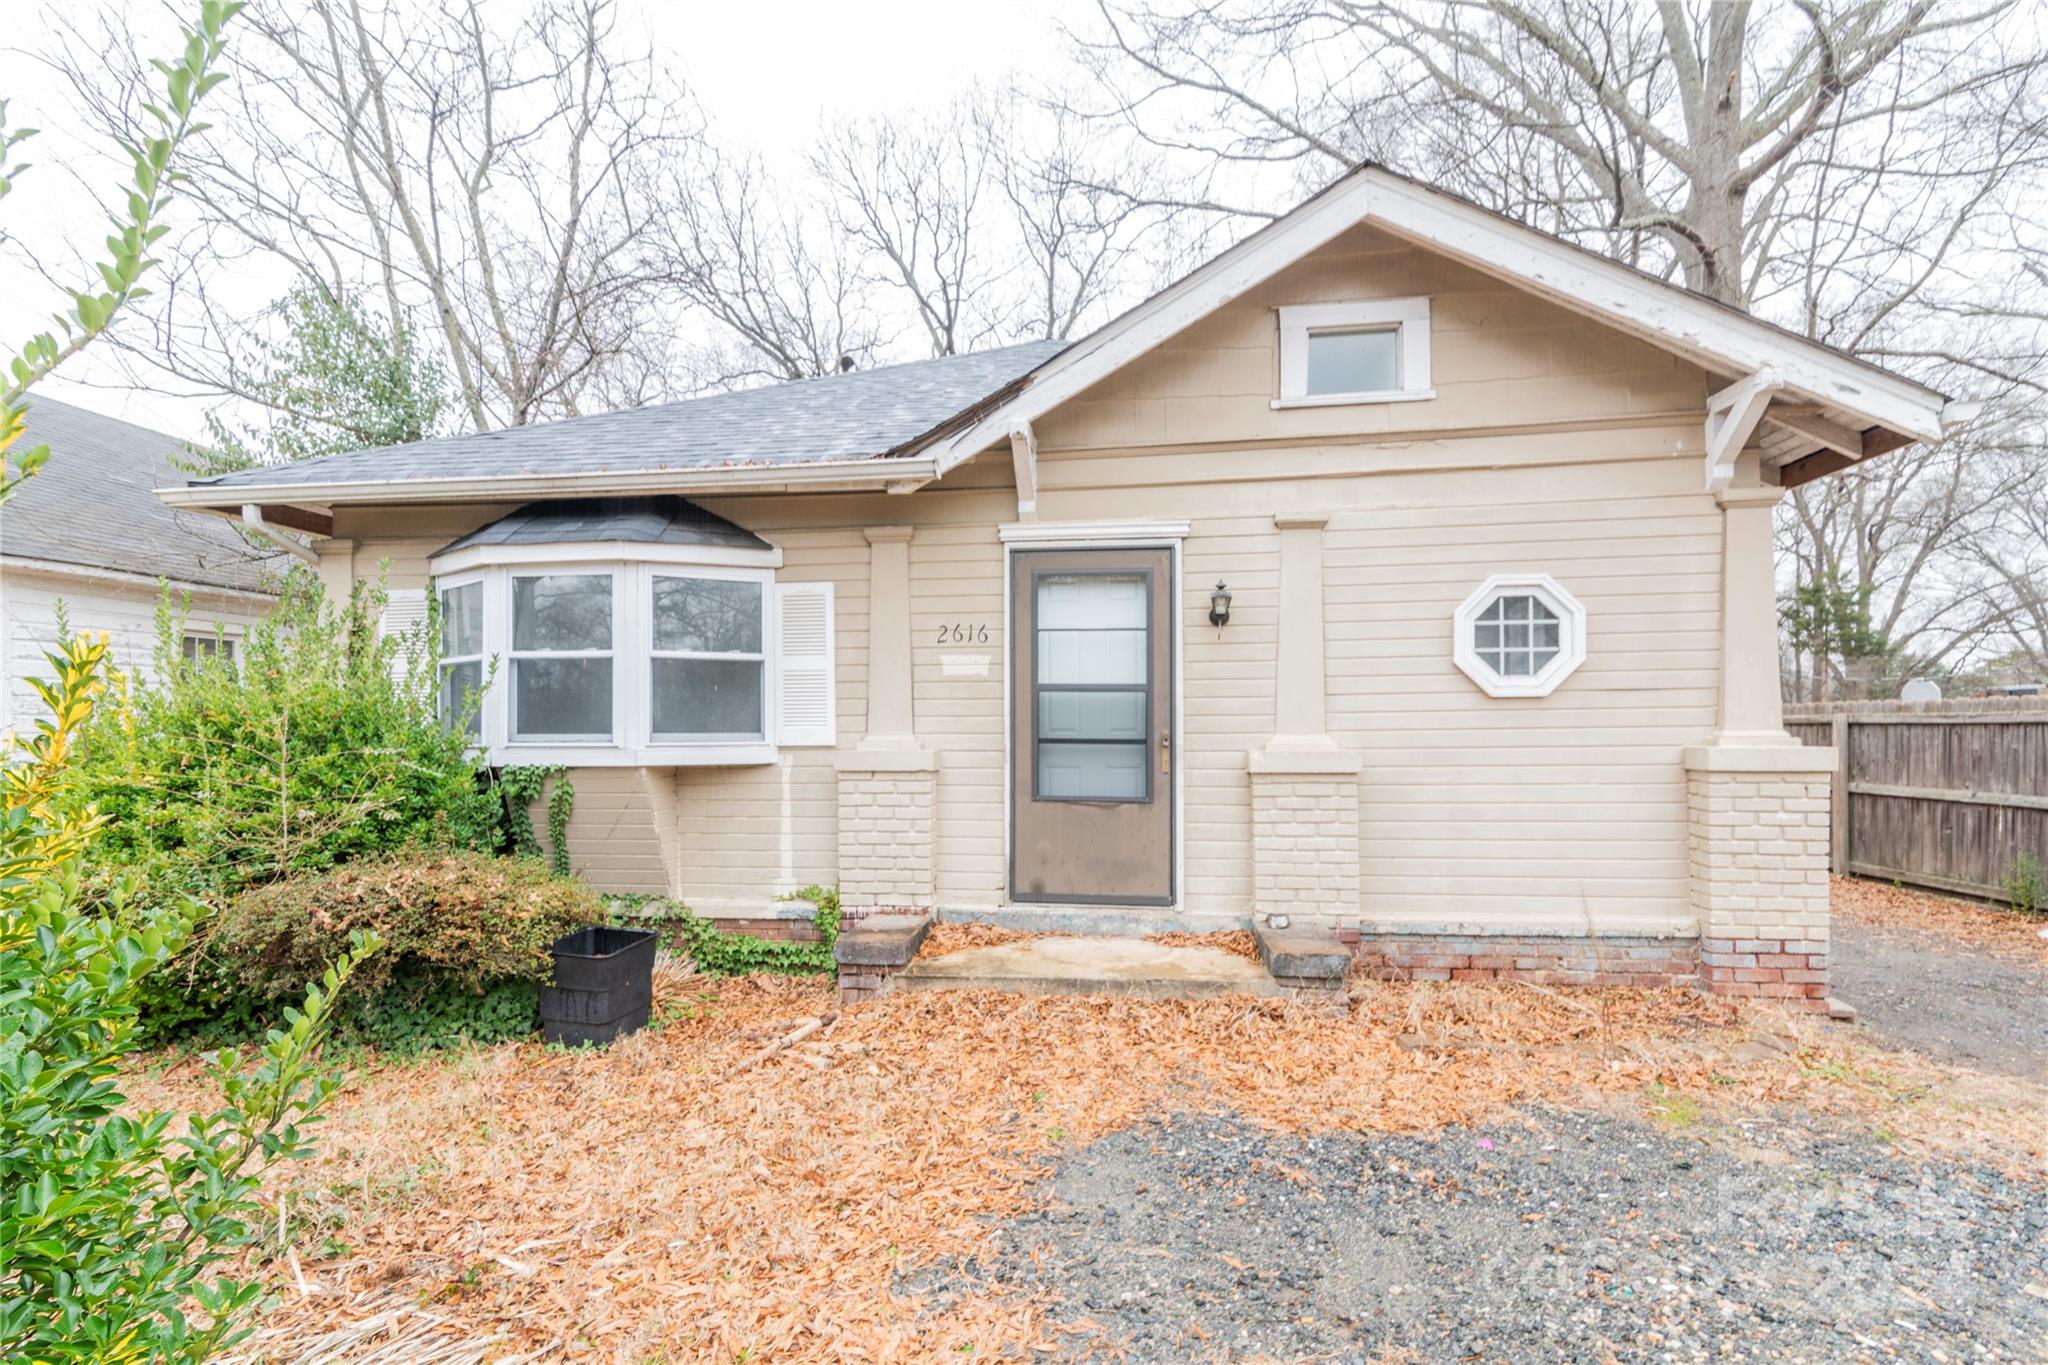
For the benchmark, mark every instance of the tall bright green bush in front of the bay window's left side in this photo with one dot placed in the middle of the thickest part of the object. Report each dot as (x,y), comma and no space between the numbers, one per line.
(318,746)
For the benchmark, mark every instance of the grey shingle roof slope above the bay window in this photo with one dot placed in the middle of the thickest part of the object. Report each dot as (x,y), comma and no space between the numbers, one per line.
(853,416)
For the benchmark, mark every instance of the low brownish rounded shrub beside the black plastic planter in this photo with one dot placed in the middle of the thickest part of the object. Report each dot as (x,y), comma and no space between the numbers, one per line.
(462,922)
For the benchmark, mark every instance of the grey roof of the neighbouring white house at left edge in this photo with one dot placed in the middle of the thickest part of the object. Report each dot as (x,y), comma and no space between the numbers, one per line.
(95,507)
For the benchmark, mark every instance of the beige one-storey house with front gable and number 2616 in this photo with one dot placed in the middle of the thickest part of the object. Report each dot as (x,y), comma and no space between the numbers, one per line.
(1402,570)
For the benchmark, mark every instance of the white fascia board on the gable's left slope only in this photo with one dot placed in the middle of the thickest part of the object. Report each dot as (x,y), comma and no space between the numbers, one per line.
(1166,314)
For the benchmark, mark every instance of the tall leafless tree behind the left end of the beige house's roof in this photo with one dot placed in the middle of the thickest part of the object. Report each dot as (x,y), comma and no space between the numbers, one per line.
(499,179)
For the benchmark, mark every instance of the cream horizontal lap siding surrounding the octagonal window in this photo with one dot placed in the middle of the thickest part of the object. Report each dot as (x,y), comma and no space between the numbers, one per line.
(1527,809)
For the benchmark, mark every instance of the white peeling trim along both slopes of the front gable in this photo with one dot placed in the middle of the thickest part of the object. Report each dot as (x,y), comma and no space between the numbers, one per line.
(1838,394)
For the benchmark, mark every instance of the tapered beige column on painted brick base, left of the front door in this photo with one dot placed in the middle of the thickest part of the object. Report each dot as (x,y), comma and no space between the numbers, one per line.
(890,781)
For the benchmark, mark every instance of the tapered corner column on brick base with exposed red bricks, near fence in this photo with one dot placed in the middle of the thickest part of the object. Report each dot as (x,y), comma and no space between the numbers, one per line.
(1756,799)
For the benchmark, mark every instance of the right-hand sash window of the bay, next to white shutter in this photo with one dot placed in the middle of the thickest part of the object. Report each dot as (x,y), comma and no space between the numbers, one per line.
(708,668)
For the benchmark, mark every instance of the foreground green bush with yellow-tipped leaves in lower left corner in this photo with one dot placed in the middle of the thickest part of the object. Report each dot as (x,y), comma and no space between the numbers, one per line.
(114,1223)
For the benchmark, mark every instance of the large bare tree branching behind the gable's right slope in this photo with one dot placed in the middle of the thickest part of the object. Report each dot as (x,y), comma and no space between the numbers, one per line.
(1863,171)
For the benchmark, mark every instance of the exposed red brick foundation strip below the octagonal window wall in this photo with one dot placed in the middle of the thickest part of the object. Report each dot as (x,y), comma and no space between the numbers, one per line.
(1547,961)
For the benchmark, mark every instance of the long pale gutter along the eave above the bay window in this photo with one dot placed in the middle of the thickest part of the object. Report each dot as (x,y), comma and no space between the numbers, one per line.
(890,474)
